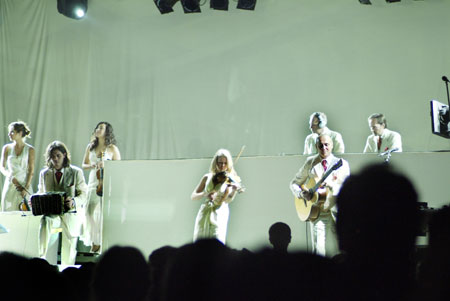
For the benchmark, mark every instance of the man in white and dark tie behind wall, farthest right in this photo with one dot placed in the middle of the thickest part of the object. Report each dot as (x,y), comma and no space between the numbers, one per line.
(381,139)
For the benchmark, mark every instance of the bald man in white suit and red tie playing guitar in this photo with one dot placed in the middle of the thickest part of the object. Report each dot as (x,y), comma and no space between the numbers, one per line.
(322,231)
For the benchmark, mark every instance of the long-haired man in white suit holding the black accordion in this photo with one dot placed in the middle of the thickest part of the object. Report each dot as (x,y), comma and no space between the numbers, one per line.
(60,176)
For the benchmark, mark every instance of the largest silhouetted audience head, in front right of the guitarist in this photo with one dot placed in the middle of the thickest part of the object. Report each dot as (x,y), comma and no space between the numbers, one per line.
(377,213)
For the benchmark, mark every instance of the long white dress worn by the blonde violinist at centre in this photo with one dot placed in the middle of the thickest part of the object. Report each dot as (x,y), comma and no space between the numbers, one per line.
(212,219)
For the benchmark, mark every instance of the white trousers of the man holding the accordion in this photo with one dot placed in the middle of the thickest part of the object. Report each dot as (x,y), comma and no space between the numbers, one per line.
(48,241)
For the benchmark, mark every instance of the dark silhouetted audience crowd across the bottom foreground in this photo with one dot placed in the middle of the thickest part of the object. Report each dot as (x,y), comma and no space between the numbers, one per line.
(377,223)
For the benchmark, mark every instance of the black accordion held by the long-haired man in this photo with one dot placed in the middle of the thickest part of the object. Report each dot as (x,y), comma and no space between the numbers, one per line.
(50,203)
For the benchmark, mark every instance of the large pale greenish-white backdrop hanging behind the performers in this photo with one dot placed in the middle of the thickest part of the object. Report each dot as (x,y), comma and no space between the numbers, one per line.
(181,86)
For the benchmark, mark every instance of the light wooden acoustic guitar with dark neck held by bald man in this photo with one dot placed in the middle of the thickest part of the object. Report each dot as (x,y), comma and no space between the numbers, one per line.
(309,210)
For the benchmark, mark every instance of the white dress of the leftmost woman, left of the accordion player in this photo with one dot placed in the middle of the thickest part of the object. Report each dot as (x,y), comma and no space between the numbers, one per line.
(18,166)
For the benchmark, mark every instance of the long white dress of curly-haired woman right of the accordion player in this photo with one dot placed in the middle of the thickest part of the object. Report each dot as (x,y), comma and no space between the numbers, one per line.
(92,227)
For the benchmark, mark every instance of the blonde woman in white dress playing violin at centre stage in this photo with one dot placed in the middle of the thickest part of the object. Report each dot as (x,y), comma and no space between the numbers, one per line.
(218,188)
